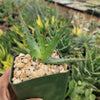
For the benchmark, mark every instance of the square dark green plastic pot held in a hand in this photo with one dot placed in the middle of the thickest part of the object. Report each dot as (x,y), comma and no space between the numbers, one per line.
(51,87)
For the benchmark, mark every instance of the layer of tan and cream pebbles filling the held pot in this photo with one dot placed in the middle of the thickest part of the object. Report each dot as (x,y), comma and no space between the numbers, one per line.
(25,68)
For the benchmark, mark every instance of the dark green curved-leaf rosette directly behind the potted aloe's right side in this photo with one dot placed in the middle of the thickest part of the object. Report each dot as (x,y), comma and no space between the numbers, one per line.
(65,46)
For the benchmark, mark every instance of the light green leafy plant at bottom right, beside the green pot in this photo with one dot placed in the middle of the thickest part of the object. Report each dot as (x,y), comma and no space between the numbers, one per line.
(80,91)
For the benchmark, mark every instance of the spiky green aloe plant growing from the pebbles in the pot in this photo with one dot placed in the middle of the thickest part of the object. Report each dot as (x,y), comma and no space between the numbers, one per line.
(40,49)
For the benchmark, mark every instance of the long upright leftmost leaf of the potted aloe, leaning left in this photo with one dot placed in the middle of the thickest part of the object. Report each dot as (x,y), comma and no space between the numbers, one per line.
(33,46)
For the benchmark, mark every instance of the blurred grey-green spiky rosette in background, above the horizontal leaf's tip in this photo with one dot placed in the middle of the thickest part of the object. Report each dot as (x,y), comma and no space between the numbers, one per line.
(80,42)
